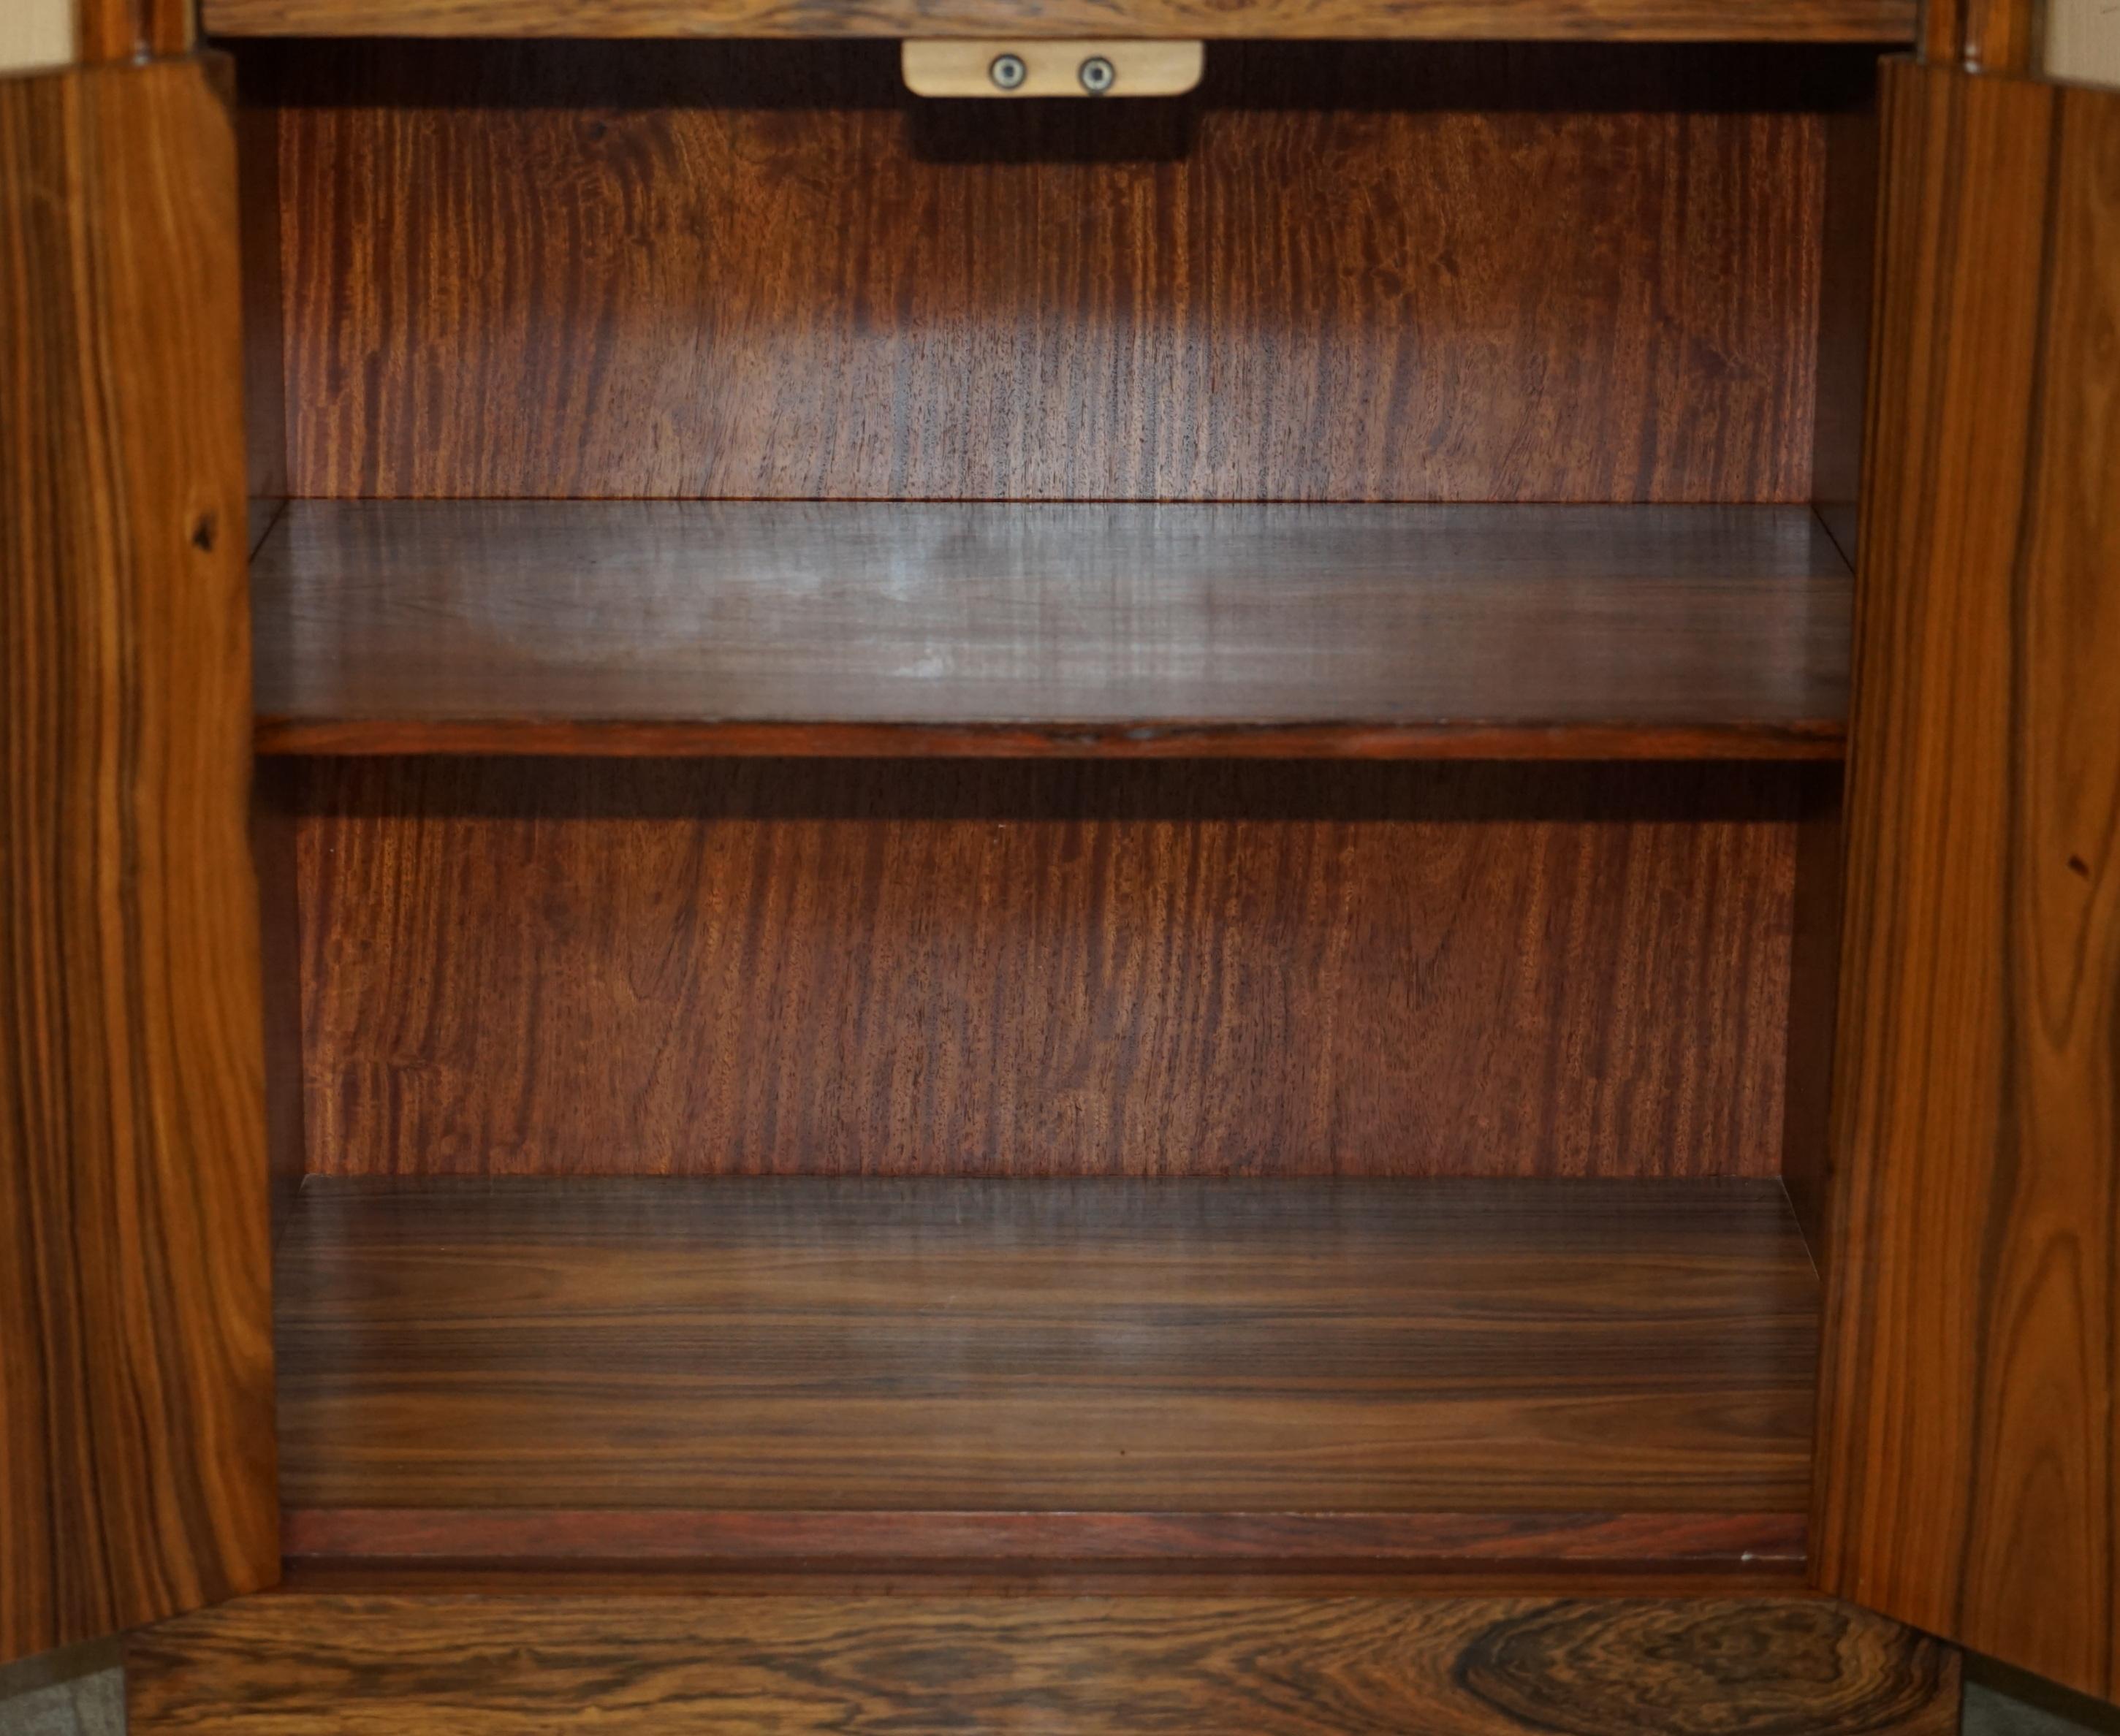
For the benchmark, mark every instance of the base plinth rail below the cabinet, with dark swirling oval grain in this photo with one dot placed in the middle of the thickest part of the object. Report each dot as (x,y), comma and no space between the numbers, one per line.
(1267,1667)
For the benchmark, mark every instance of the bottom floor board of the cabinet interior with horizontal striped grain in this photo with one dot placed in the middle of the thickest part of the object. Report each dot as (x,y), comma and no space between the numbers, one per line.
(1449,1375)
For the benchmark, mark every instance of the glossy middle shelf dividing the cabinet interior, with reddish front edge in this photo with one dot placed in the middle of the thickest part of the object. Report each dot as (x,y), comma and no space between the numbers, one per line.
(1127,631)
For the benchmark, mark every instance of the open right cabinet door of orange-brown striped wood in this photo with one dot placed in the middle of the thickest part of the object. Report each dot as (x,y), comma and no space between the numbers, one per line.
(1968,1472)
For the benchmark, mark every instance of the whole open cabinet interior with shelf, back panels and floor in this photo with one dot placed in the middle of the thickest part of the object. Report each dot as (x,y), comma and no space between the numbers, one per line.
(800,1139)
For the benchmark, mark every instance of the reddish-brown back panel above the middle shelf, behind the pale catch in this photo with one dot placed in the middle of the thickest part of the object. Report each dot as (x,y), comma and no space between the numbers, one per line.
(1457,272)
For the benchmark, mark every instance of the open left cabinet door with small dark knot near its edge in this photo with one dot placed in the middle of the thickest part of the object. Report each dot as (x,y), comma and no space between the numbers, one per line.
(137,1421)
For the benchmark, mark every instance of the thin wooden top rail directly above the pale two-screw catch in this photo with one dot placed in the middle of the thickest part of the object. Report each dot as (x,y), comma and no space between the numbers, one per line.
(1561,20)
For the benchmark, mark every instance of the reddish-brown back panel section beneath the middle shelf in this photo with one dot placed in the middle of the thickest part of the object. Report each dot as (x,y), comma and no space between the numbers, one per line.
(665,968)
